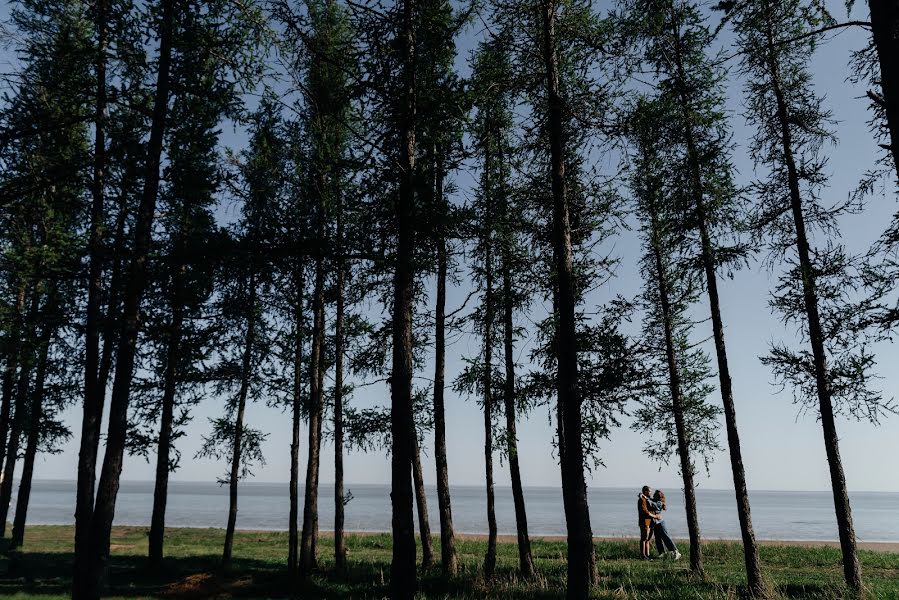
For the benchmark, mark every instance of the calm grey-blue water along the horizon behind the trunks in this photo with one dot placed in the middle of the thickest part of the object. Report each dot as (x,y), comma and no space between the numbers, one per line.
(776,515)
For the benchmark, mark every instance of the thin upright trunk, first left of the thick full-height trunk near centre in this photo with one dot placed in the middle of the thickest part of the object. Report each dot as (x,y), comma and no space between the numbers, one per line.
(339,542)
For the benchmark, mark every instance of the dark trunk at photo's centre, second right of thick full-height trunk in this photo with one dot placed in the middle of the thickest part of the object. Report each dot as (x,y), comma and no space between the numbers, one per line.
(448,558)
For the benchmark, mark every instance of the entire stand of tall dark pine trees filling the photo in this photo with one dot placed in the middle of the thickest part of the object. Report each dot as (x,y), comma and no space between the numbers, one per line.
(270,201)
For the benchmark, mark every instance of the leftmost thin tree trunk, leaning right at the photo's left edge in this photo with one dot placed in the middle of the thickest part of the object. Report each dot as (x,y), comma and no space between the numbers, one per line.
(26,360)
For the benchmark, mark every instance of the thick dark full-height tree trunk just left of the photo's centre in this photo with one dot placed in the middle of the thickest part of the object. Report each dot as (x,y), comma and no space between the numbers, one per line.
(403,578)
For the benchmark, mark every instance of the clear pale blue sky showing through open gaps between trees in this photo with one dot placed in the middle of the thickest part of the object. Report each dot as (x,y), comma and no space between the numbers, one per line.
(782,450)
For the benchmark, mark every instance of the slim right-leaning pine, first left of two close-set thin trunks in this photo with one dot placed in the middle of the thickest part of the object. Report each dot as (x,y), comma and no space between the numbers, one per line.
(246,280)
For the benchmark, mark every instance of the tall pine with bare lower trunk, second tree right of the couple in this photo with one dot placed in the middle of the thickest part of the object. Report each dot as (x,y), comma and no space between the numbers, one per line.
(677,45)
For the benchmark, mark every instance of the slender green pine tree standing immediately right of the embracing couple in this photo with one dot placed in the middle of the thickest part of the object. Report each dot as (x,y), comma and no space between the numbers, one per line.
(673,405)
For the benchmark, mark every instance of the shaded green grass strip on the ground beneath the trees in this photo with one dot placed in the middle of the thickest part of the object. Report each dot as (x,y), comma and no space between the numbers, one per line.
(43,570)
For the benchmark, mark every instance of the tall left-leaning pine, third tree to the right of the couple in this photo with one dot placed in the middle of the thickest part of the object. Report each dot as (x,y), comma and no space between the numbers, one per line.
(816,287)
